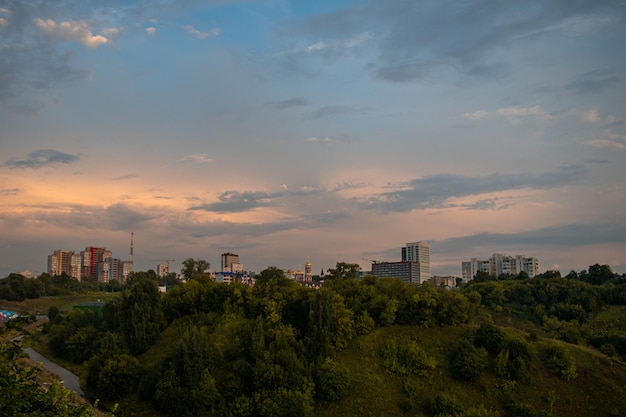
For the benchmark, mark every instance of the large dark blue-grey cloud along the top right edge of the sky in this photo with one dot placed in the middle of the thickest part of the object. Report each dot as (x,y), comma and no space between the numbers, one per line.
(405,40)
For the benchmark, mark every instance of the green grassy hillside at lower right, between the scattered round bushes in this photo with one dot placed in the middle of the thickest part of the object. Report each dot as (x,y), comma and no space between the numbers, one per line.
(597,389)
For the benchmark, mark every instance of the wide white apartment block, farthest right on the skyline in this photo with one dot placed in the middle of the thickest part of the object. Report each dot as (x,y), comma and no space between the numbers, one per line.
(499,264)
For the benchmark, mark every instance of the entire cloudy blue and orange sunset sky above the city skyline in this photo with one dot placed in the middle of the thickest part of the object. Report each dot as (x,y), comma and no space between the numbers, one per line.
(335,131)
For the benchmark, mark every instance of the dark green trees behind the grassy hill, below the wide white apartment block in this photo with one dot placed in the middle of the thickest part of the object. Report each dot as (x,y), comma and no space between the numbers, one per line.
(563,306)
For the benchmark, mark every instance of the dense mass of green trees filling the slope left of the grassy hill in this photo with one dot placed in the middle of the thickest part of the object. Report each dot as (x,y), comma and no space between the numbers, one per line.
(267,350)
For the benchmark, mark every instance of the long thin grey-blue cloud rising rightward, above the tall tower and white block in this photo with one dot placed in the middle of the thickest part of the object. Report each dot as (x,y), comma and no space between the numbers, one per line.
(437,191)
